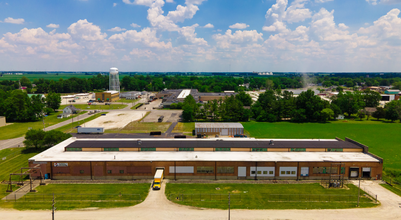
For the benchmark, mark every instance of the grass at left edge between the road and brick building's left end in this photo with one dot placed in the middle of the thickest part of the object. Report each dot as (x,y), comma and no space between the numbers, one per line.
(15,159)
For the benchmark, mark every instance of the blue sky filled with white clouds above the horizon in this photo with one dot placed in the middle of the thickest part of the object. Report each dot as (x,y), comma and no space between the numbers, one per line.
(201,35)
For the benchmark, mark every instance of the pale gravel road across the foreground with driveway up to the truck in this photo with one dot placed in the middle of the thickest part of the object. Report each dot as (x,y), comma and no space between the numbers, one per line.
(156,206)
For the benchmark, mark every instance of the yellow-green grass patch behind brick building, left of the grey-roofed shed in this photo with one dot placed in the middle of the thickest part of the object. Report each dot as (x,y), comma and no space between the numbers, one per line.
(142,127)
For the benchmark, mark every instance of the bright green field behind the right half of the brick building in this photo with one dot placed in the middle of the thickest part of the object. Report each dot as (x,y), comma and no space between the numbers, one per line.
(382,138)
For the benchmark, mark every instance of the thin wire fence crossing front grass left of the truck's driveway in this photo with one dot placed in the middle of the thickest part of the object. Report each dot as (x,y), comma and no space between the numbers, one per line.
(38,197)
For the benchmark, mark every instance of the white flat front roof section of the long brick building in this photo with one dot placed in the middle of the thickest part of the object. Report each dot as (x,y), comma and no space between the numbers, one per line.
(57,154)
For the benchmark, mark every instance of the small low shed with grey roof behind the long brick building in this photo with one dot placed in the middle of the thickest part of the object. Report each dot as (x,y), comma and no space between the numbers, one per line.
(222,129)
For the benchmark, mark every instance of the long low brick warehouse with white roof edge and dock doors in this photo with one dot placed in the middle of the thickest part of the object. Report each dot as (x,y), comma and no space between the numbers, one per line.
(244,158)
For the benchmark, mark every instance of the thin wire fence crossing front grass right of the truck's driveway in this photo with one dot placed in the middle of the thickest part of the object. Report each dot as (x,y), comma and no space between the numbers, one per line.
(270,198)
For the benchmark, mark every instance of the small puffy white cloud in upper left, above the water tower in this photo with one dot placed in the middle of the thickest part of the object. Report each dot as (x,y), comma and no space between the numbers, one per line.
(85,30)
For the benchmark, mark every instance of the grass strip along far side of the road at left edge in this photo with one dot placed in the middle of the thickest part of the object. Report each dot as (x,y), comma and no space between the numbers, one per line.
(18,129)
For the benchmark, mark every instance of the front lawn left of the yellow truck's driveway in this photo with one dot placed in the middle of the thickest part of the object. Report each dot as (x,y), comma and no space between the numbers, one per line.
(76,196)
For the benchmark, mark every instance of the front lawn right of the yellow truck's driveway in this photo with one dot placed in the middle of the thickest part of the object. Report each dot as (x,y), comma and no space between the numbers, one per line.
(264,196)
